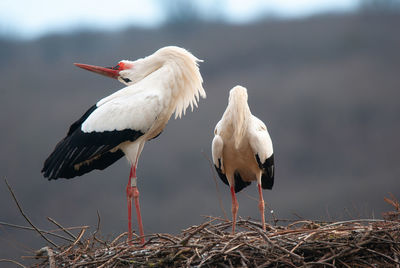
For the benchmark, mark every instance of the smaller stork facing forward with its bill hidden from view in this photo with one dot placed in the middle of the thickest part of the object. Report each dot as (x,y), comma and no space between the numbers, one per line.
(242,150)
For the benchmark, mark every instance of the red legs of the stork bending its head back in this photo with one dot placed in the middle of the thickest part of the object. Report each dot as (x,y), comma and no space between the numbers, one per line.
(132,191)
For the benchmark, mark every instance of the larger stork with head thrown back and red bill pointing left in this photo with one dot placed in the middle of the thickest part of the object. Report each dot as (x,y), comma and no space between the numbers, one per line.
(165,82)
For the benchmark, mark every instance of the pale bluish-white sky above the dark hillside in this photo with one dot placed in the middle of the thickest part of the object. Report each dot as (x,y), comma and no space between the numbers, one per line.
(30,19)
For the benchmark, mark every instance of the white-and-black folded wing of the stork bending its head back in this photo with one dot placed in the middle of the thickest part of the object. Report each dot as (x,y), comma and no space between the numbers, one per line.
(92,141)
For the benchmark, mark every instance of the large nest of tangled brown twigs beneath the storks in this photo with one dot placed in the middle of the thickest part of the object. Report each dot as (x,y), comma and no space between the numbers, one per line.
(354,243)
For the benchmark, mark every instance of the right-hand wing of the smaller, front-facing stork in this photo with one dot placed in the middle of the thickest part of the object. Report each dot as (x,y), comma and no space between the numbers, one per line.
(261,144)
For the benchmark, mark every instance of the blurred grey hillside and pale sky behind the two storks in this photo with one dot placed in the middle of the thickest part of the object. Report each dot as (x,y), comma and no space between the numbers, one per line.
(323,75)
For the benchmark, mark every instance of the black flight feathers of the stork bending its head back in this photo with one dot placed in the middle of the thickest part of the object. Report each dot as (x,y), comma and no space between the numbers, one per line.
(79,152)
